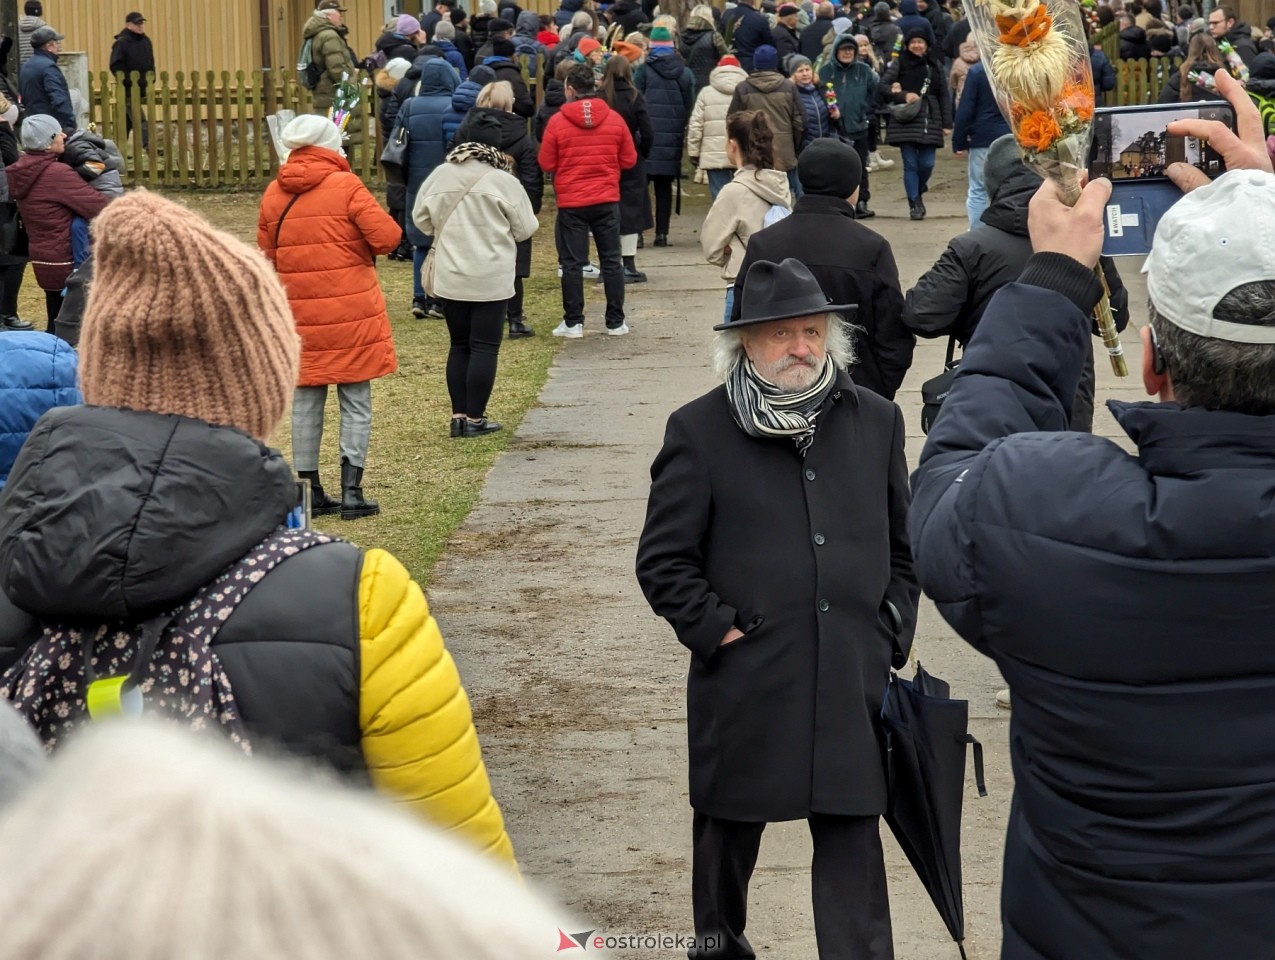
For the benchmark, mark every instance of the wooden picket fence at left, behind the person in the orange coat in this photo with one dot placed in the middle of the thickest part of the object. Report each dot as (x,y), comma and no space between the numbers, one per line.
(210,131)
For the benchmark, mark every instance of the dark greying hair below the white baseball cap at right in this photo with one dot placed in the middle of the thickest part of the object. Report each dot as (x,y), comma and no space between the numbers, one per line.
(1223,375)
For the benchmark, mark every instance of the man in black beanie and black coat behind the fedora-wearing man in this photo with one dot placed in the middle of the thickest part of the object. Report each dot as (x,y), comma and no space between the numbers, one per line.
(852,263)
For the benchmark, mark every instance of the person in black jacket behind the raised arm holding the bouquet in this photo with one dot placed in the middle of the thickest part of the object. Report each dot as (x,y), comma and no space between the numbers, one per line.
(951,299)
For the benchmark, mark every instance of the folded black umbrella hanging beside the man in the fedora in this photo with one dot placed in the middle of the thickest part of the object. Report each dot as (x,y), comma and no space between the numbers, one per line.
(926,735)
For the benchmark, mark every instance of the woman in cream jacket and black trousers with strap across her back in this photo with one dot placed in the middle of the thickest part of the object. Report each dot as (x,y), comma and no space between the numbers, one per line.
(477,214)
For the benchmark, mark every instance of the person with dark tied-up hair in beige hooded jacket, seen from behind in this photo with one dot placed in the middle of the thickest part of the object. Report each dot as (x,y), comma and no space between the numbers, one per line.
(741,208)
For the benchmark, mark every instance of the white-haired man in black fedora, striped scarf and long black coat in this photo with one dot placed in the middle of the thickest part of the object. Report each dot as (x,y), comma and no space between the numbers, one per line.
(776,548)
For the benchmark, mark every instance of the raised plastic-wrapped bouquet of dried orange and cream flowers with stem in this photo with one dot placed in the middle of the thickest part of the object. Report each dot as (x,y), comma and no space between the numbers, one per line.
(1037,61)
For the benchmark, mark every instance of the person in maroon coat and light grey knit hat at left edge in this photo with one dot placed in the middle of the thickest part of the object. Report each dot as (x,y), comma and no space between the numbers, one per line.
(50,196)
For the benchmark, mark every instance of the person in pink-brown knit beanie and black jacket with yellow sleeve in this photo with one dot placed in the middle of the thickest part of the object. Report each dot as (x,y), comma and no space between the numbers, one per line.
(128,511)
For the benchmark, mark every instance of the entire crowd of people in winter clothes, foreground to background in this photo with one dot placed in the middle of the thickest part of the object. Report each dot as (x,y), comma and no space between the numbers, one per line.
(128,586)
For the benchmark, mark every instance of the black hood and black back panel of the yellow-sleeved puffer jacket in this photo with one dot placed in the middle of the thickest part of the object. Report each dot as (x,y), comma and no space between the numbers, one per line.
(120,514)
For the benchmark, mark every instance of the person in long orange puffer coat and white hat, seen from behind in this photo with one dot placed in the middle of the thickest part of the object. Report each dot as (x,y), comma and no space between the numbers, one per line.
(323,229)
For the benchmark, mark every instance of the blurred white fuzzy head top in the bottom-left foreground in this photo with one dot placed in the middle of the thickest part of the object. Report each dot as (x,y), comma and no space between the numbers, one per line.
(146,842)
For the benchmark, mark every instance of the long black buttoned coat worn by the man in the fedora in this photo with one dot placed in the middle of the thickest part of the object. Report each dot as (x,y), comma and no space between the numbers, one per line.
(803,555)
